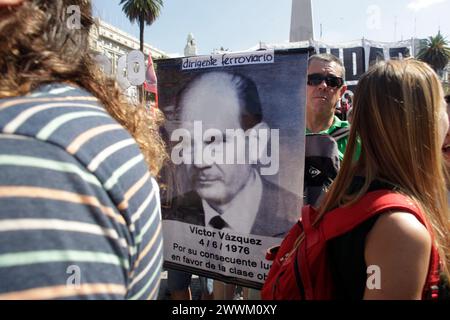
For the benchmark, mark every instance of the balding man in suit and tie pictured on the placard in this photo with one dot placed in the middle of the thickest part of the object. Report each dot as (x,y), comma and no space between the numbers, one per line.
(228,193)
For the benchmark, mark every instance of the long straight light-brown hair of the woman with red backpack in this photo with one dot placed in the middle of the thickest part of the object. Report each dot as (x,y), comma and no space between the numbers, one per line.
(396,114)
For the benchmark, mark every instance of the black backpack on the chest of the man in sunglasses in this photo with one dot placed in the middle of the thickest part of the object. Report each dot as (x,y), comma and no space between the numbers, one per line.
(321,164)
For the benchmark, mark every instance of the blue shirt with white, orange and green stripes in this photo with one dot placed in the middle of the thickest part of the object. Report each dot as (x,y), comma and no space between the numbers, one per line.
(79,212)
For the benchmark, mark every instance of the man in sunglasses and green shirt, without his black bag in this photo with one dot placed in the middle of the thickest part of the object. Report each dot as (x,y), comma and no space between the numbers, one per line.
(325,88)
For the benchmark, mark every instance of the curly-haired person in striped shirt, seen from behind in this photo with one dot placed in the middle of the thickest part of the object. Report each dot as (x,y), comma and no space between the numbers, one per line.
(79,207)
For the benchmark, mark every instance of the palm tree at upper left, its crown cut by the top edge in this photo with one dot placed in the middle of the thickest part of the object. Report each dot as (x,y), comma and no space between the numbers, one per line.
(144,12)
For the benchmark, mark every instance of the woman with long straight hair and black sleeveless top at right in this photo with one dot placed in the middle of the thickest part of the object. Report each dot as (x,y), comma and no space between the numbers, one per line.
(400,117)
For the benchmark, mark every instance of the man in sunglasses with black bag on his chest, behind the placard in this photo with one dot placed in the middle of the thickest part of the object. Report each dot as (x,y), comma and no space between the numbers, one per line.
(326,134)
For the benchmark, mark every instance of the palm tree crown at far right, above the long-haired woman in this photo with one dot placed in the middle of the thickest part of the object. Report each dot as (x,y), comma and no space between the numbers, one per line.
(435,52)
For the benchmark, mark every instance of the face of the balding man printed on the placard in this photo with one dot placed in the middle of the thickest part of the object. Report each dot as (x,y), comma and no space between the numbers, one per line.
(216,105)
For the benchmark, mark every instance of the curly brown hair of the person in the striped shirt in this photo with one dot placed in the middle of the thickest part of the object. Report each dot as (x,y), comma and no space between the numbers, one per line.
(38,47)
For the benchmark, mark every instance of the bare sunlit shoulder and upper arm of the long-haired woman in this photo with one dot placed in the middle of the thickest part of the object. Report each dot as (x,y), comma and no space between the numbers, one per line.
(400,246)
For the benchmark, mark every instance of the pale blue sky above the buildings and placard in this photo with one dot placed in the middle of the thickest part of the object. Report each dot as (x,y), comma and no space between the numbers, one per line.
(241,24)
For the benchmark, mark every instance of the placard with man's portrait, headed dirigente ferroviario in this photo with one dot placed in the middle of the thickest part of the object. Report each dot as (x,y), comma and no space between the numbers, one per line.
(235,135)
